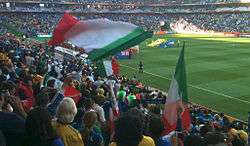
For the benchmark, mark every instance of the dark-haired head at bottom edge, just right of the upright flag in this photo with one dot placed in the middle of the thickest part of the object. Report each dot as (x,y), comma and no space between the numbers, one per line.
(194,140)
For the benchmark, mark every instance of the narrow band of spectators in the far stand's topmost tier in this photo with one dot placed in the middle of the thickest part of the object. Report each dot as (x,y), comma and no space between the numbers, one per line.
(120,7)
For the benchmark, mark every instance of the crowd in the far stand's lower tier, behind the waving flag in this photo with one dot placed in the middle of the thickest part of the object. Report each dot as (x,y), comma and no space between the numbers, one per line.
(33,24)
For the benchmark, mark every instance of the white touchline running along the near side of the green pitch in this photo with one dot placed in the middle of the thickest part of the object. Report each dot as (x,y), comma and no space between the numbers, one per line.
(193,86)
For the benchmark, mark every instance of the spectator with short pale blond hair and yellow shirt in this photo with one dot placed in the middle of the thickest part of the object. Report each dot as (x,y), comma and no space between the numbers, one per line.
(65,114)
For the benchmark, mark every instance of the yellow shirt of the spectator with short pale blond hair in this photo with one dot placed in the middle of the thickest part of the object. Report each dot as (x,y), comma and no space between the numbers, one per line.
(69,135)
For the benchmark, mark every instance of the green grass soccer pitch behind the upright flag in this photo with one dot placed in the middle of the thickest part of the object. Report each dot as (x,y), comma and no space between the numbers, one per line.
(218,70)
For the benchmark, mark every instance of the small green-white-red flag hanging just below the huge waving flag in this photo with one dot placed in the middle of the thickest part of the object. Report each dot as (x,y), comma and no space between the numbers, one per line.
(108,67)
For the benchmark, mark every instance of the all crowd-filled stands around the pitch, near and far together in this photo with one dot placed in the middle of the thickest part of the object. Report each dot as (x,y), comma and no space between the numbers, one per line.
(34,112)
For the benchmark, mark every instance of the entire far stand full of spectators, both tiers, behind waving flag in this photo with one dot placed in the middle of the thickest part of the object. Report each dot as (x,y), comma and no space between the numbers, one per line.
(40,17)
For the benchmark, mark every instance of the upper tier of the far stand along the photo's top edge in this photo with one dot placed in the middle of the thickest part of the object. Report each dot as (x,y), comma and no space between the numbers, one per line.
(122,7)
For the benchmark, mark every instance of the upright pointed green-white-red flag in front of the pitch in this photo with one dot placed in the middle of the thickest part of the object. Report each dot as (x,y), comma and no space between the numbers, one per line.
(177,99)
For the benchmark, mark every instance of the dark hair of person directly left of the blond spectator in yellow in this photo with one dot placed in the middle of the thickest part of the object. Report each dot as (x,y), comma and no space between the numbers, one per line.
(38,127)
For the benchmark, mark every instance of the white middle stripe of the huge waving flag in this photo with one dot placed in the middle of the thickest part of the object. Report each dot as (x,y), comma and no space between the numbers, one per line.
(98,33)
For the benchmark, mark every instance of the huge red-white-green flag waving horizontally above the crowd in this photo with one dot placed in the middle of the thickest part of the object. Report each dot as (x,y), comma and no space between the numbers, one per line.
(99,37)
